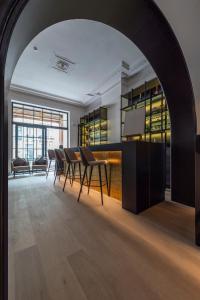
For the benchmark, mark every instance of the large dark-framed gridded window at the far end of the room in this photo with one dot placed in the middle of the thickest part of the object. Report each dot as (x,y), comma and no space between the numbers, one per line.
(37,129)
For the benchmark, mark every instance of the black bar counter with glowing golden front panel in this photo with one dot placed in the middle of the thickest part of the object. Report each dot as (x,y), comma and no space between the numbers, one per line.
(136,173)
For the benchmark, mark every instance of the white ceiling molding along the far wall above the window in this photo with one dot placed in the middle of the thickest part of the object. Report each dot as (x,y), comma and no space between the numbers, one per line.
(33,92)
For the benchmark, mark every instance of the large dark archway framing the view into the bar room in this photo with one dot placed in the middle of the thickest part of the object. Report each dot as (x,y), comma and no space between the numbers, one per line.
(143,23)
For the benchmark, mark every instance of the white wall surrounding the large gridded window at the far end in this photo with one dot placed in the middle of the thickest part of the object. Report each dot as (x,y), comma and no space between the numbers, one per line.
(75,113)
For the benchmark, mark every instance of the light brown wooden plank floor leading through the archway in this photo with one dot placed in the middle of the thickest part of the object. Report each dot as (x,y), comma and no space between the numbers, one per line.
(61,250)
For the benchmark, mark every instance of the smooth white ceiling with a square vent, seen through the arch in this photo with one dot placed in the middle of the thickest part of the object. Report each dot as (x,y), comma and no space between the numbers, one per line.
(96,49)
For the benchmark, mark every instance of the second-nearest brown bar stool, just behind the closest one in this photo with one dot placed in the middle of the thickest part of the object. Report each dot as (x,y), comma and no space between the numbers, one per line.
(72,161)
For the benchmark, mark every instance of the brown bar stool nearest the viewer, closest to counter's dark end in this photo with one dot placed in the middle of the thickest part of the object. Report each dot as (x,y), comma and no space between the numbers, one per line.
(89,161)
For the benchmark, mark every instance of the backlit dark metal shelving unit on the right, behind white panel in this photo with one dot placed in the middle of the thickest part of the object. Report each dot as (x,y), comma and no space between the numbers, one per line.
(157,120)
